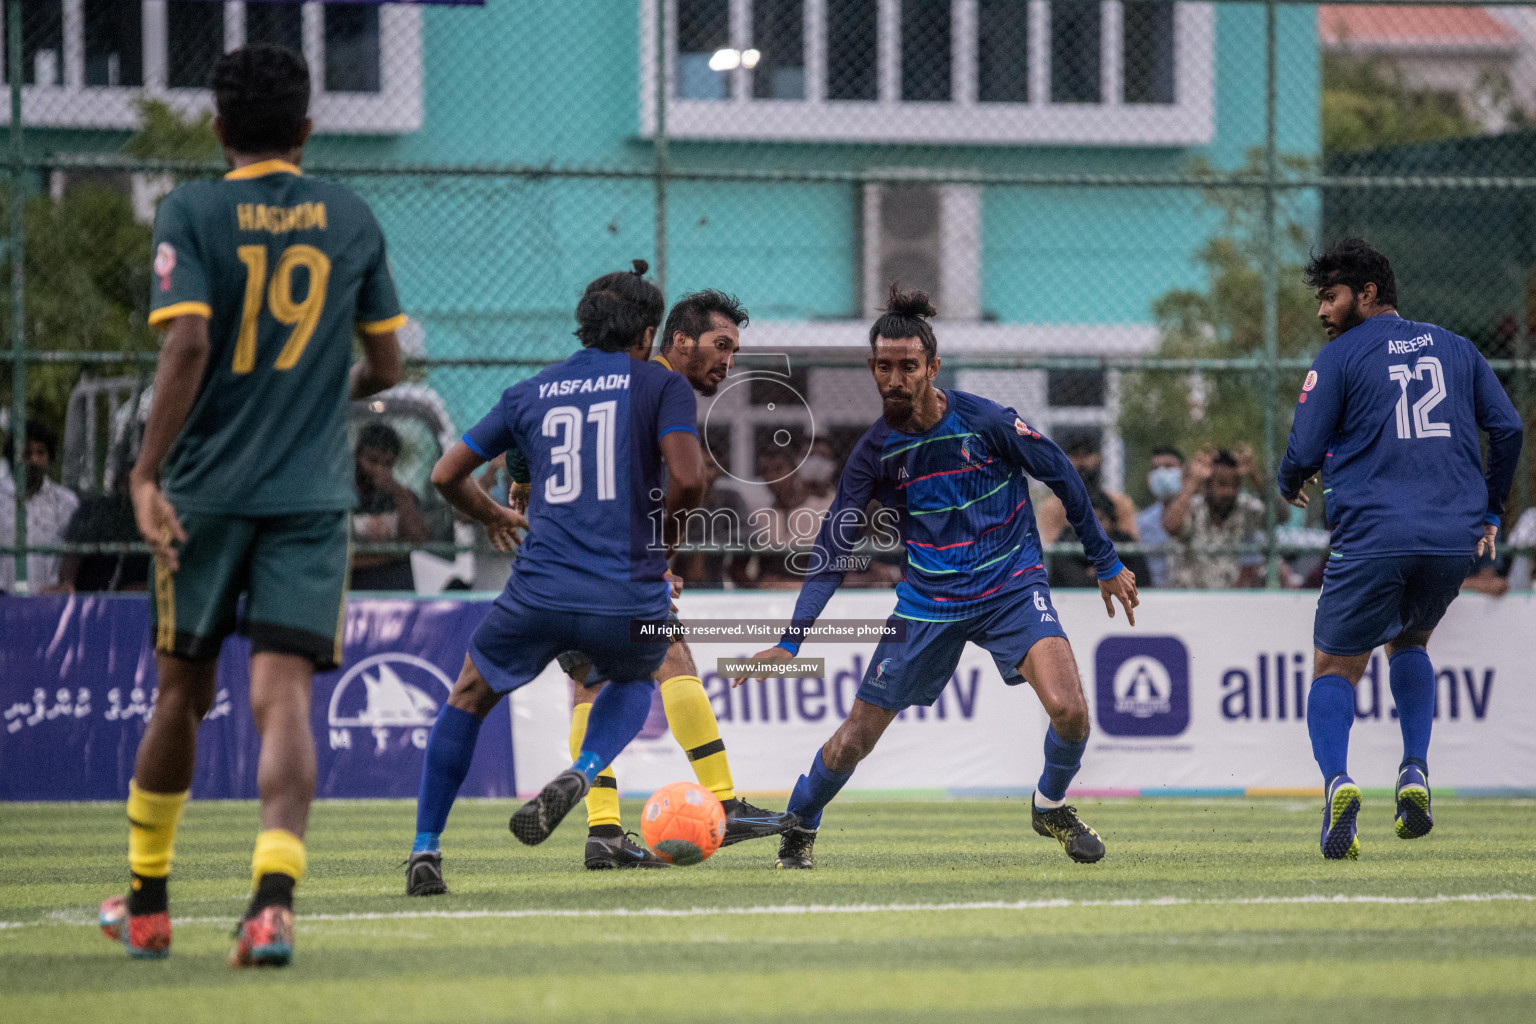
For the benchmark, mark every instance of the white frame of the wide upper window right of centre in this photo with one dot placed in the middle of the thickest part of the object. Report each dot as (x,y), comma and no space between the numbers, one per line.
(962,121)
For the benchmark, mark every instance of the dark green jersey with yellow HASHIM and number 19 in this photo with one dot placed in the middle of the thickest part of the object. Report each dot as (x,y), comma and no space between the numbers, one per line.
(286,269)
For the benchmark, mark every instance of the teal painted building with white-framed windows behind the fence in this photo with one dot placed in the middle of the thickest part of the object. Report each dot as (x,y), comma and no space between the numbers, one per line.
(491,259)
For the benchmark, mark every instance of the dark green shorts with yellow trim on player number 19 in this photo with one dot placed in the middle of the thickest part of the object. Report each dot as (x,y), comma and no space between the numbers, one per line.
(293,572)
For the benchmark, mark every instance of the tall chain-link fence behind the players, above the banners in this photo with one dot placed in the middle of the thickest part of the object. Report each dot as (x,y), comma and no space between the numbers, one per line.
(1110,203)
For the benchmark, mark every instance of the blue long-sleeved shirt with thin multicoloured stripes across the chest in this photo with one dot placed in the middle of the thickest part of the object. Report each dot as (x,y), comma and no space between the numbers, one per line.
(962,507)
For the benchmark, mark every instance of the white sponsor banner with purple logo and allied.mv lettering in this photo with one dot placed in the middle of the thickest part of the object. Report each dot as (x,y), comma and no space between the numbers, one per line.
(1208,692)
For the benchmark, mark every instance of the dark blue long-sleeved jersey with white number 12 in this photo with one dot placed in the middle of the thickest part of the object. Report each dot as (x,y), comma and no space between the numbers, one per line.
(1391,414)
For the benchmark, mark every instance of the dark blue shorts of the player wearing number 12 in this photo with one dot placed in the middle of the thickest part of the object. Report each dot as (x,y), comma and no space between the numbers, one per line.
(1368,603)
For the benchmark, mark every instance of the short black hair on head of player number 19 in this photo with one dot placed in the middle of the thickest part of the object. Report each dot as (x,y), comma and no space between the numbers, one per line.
(262,96)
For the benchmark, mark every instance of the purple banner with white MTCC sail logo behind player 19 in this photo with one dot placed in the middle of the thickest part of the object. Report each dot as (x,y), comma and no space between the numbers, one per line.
(78,687)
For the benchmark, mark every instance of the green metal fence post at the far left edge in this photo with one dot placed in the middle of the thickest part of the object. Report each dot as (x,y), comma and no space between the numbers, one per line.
(18,294)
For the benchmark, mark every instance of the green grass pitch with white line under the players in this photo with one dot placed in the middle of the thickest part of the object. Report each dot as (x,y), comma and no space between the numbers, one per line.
(1203,911)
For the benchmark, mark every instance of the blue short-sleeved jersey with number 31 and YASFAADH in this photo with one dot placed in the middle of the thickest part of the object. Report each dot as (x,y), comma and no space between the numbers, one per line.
(591,428)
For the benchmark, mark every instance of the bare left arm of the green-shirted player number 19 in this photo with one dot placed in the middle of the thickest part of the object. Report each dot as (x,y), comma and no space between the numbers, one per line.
(177,377)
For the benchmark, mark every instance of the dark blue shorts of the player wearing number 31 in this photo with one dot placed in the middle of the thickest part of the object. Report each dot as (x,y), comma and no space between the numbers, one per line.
(515,642)
